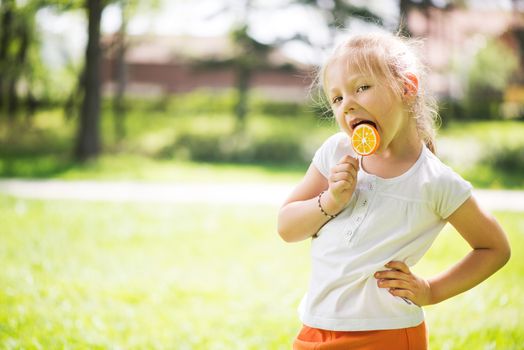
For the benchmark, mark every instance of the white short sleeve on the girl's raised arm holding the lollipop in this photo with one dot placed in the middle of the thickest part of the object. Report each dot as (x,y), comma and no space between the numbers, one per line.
(330,152)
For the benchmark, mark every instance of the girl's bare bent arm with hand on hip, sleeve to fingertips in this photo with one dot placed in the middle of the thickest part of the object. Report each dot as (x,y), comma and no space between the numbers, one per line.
(490,251)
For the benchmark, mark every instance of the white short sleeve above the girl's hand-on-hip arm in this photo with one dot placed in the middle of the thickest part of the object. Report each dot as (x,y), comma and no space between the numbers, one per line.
(452,192)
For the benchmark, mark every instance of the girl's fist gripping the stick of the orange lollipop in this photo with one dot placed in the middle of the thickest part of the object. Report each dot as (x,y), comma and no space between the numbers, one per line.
(342,183)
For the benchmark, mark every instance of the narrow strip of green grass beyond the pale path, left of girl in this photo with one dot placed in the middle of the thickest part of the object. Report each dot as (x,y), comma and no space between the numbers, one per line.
(145,169)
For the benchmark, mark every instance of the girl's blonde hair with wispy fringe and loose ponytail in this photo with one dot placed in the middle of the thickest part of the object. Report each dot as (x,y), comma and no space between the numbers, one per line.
(390,59)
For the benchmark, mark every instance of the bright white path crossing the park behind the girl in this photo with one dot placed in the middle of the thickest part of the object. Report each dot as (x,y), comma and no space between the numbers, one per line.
(221,193)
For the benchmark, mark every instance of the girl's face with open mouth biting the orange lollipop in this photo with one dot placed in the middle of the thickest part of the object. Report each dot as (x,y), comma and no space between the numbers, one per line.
(356,97)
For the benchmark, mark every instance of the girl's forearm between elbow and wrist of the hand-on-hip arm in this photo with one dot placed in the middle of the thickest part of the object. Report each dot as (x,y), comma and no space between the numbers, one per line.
(474,268)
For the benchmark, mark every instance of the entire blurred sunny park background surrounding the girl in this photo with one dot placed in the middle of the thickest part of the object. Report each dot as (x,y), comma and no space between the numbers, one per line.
(145,147)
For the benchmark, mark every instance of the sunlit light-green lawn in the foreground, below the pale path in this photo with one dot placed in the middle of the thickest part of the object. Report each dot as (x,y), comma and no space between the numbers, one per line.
(83,275)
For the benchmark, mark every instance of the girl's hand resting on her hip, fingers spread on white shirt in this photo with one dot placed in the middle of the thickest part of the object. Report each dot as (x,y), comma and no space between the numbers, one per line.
(402,283)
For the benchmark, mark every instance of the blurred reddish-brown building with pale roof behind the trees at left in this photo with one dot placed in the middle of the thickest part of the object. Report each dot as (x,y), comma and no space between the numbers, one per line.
(160,65)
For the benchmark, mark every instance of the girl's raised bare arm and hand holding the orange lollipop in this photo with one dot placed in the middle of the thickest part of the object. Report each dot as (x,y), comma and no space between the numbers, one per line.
(300,217)
